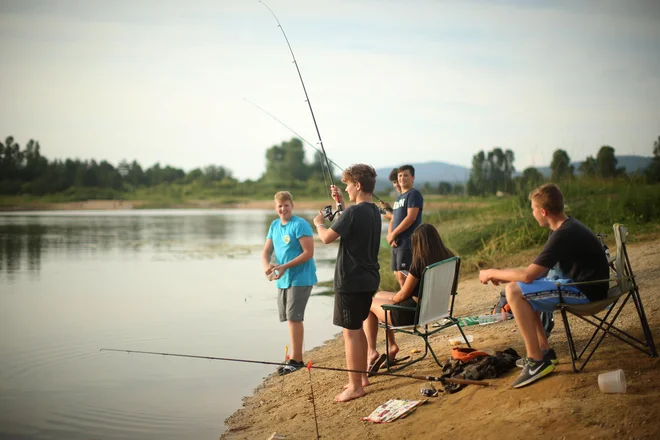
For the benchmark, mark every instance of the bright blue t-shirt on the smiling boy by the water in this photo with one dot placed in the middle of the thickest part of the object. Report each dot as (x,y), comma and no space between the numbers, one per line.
(286,242)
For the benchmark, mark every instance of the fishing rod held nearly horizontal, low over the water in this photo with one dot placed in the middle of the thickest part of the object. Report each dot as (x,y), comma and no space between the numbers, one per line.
(440,379)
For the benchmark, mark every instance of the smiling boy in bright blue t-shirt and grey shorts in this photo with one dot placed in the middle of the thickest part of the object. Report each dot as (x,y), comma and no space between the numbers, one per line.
(295,272)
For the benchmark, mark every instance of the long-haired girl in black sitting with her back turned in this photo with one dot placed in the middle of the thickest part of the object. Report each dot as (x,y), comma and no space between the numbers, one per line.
(427,248)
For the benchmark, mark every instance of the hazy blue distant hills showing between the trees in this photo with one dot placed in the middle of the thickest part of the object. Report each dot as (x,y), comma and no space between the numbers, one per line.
(436,172)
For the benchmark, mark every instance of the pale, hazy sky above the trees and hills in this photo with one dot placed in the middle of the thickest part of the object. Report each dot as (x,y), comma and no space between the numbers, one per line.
(390,82)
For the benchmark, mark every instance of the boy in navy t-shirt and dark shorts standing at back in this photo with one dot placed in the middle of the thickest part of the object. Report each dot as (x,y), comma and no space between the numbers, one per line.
(406,216)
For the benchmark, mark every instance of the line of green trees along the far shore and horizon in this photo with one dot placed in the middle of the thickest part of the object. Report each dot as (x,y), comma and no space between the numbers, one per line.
(25,171)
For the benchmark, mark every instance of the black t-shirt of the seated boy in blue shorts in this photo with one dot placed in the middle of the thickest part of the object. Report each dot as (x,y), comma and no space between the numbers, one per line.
(580,256)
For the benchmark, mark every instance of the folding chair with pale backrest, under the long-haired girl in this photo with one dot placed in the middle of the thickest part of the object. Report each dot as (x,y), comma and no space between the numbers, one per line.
(436,302)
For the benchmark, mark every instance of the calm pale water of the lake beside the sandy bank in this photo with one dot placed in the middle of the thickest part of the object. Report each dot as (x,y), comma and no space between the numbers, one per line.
(181,281)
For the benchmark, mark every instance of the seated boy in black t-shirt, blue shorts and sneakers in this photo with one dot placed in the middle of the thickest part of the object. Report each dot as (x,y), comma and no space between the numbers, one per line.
(579,256)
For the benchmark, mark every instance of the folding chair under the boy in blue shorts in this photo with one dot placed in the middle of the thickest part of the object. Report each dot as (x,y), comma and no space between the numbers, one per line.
(623,287)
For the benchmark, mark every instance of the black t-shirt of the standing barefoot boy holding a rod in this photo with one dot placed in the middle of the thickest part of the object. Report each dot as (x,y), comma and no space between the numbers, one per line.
(357,266)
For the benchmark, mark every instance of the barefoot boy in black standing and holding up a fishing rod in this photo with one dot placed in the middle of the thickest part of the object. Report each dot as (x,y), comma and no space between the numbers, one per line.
(356,271)
